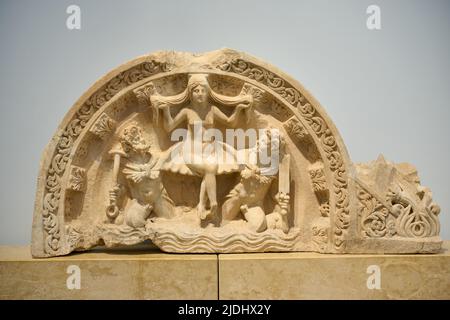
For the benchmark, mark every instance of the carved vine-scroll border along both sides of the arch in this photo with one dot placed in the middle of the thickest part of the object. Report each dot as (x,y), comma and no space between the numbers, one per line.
(146,69)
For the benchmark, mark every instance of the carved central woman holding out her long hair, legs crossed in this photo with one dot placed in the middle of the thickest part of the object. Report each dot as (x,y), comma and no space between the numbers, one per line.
(198,153)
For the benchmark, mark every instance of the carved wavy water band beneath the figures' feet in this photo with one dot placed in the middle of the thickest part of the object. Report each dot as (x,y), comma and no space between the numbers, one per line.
(212,240)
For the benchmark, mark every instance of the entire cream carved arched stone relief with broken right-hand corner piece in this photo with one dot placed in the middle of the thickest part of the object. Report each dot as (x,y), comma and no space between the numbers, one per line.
(218,152)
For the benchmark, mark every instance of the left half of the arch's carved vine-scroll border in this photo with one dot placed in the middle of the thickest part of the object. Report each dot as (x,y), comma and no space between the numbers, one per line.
(69,136)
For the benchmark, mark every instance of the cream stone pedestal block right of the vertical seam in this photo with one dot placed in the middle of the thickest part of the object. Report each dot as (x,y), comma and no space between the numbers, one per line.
(316,276)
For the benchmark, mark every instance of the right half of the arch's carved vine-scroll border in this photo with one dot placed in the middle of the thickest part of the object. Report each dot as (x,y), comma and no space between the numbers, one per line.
(318,126)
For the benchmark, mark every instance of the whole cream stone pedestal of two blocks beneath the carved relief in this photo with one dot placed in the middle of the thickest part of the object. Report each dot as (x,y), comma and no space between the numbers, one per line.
(137,273)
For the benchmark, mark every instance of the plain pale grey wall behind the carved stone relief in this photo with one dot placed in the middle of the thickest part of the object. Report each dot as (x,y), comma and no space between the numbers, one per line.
(387,91)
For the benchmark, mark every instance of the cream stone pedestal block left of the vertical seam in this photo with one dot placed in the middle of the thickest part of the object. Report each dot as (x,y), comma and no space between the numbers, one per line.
(128,273)
